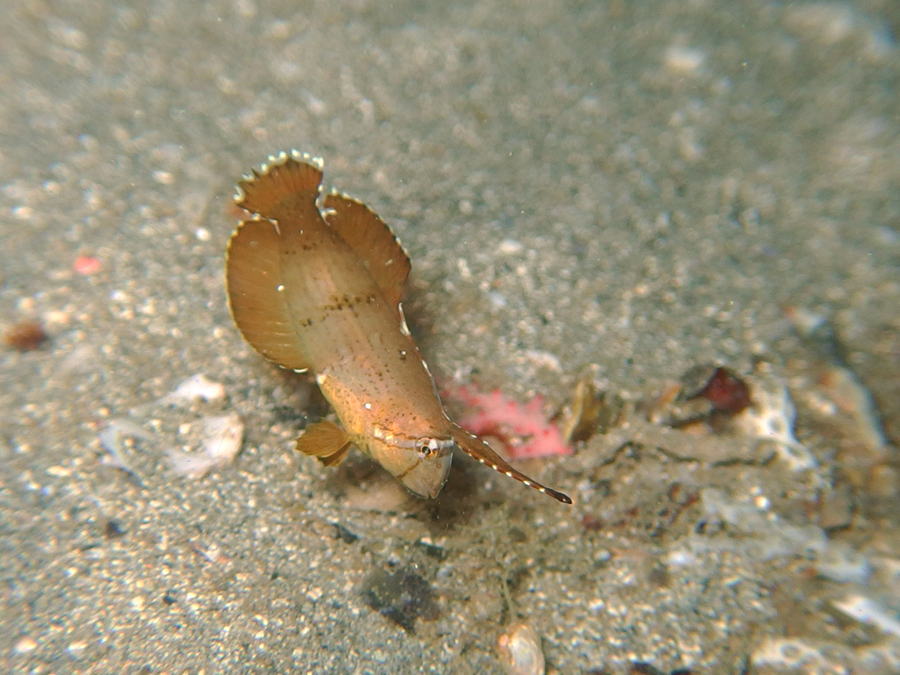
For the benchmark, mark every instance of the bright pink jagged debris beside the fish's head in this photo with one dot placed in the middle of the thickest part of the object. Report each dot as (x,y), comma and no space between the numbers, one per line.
(524,428)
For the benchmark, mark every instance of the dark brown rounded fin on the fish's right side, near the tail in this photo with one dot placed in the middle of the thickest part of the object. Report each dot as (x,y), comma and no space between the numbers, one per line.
(372,241)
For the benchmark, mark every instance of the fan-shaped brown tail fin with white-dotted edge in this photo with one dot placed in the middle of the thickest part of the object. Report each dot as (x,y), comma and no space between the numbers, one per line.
(286,175)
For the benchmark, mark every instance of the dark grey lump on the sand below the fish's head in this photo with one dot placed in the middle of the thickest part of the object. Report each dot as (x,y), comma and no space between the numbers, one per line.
(402,596)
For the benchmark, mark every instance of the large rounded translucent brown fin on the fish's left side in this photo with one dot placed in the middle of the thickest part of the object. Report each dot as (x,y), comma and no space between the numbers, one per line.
(253,278)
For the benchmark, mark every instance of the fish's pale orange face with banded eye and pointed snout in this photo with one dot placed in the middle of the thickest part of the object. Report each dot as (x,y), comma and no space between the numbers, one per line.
(421,465)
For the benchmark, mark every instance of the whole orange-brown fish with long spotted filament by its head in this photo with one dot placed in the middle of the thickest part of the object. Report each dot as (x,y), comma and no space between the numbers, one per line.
(320,290)
